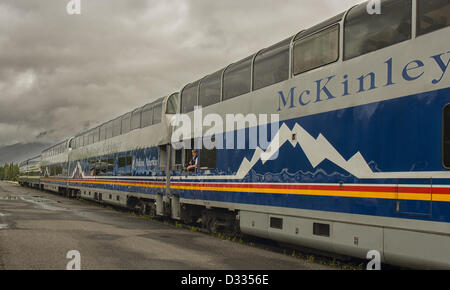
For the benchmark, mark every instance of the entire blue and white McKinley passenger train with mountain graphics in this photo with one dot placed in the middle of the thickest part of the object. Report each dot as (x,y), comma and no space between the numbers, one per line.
(361,160)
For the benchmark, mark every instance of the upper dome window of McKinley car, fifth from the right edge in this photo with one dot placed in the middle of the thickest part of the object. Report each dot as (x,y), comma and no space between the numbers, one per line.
(237,79)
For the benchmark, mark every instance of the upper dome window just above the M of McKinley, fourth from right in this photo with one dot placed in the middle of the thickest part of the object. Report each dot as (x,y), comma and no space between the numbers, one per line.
(271,65)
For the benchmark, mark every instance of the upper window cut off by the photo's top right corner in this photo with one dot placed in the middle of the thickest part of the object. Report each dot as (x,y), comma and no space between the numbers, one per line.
(432,15)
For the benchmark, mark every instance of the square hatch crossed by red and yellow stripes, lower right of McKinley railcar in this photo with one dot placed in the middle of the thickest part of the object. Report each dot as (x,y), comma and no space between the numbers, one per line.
(414,197)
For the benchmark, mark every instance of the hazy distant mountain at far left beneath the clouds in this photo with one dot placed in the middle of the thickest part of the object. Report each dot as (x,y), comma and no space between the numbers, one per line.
(20,152)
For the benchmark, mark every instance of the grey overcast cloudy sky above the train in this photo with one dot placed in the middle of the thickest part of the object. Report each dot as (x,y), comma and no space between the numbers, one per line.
(61,74)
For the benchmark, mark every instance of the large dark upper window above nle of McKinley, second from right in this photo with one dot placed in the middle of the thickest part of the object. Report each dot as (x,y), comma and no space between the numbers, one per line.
(365,33)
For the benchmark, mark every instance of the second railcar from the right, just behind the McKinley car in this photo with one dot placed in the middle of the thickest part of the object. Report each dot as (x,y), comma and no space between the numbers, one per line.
(108,162)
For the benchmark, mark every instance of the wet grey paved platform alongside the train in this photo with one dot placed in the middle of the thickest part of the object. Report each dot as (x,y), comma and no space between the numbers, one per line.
(38,229)
